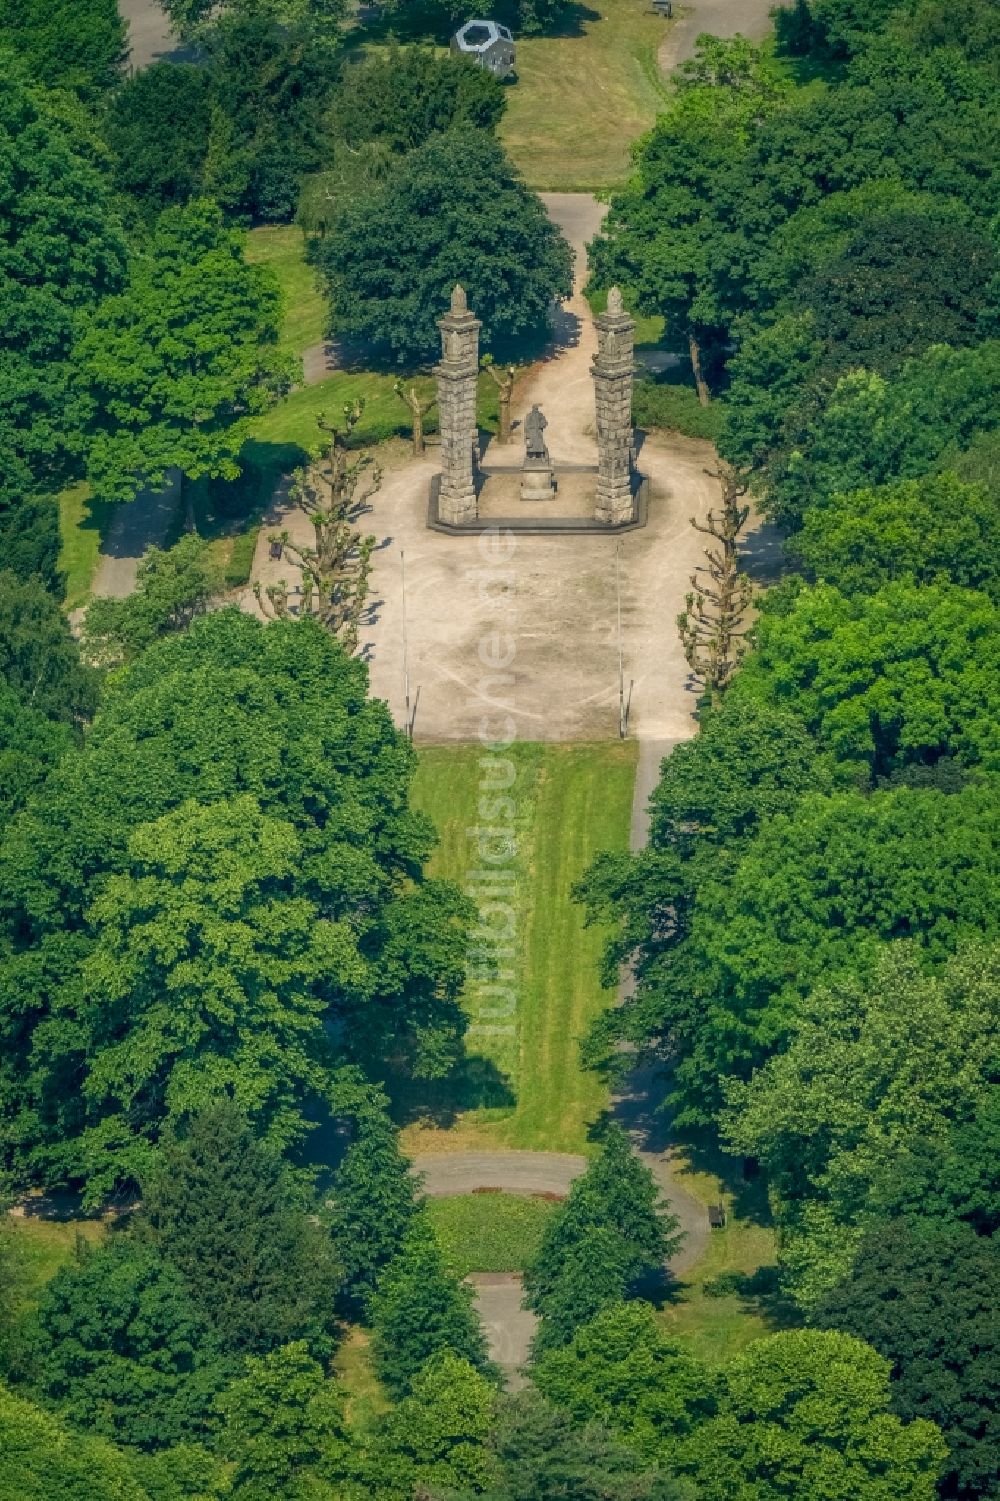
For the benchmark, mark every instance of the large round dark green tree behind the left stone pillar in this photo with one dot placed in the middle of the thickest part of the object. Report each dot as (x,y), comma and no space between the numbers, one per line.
(454,211)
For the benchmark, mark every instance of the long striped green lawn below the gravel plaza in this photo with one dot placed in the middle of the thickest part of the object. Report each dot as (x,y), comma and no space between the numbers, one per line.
(525,1086)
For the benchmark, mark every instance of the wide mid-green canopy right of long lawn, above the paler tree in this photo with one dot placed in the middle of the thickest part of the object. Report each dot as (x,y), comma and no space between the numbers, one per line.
(813,895)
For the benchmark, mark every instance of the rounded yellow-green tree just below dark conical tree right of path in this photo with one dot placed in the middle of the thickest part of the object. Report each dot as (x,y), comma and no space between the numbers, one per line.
(622,1371)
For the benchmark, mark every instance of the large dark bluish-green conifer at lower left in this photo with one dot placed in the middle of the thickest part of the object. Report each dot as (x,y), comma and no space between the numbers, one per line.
(223,1211)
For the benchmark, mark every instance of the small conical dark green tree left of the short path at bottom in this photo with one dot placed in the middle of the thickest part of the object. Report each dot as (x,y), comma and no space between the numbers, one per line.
(421,1311)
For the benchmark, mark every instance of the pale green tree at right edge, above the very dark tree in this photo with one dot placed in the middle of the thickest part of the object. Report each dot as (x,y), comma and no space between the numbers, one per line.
(878,1068)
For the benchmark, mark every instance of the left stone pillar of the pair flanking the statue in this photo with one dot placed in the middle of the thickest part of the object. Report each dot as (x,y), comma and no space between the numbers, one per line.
(457,382)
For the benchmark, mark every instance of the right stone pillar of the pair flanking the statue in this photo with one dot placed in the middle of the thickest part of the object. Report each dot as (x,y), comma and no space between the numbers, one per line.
(612,373)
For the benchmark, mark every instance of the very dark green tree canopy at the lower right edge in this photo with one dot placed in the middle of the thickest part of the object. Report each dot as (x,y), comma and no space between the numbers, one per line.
(927,1298)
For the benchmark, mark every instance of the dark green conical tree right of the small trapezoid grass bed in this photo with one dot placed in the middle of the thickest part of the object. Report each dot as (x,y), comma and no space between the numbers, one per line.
(612,1230)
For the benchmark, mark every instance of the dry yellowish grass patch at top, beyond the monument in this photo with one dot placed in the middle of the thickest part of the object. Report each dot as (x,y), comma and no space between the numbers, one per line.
(583,98)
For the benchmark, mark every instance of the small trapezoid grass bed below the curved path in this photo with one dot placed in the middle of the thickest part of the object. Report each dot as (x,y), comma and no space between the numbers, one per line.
(490,1232)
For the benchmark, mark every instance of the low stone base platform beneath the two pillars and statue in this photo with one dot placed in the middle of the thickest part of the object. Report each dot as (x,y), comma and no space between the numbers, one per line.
(568,513)
